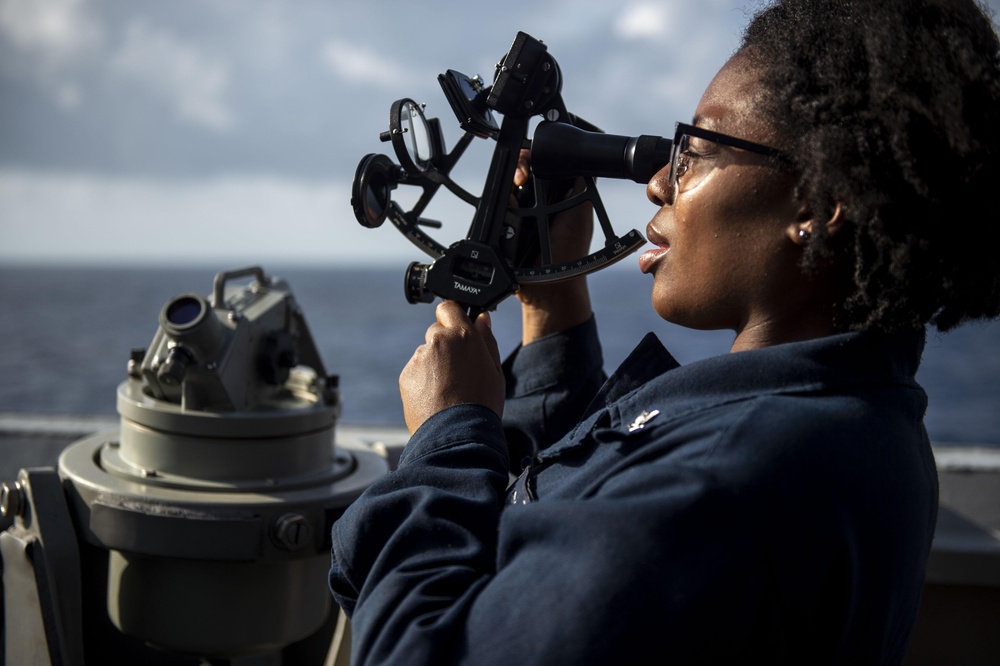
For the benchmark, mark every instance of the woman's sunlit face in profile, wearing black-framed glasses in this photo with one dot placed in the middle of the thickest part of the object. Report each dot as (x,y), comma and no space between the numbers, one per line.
(726,255)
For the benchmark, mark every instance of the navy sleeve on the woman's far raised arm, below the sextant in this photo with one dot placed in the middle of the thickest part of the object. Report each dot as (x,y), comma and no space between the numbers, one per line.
(550,383)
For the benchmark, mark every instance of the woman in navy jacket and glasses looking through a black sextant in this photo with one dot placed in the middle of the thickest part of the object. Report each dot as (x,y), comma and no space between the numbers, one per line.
(777,502)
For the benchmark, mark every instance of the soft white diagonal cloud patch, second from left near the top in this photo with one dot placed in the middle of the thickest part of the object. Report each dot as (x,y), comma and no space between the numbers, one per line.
(193,83)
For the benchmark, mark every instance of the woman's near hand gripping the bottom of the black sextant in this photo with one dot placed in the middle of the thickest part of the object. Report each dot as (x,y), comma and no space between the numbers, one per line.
(458,363)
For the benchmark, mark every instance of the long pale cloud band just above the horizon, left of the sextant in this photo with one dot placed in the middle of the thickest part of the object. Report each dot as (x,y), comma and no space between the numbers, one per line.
(231,220)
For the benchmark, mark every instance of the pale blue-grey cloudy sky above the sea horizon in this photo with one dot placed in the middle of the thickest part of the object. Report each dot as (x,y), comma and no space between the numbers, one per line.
(227,132)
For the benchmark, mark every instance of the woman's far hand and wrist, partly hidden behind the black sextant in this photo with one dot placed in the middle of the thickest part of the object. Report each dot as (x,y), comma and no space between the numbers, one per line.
(556,306)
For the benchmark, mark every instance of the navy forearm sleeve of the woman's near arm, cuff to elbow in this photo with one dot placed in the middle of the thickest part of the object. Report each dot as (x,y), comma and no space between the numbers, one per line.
(412,552)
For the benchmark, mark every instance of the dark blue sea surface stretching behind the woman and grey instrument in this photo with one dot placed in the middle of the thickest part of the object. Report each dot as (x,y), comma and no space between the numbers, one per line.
(66,334)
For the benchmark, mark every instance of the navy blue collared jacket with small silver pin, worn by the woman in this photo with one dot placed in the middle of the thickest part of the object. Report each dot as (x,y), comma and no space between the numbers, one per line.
(774,504)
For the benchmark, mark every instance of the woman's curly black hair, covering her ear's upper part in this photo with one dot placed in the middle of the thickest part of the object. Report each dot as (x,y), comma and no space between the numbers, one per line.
(891,110)
